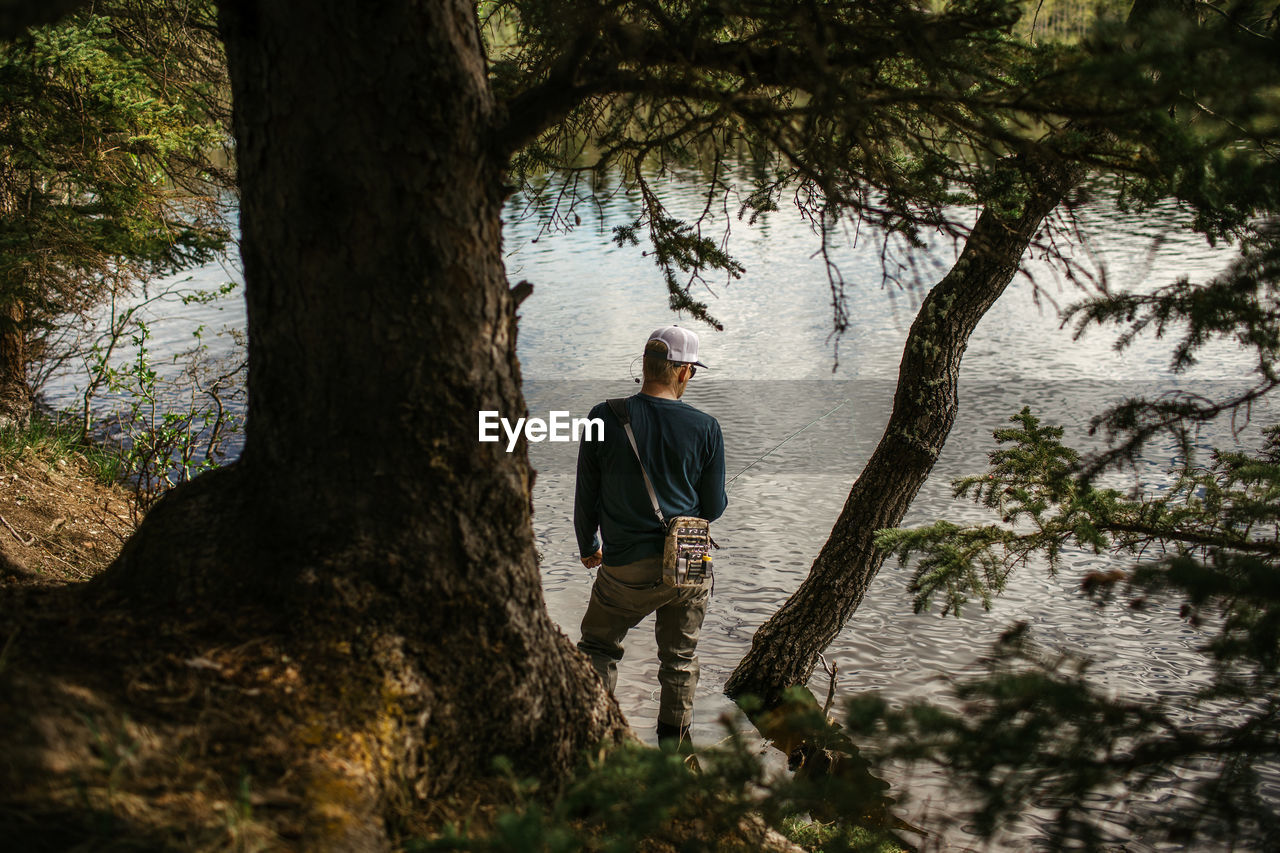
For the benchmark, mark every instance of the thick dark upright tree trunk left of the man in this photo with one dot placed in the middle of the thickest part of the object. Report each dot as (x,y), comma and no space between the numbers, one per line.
(363,512)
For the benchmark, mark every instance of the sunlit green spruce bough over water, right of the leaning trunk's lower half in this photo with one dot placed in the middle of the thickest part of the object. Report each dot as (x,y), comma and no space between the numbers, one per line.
(1046,507)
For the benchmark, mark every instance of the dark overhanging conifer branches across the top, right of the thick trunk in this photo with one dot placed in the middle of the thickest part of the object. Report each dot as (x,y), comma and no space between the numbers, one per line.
(898,116)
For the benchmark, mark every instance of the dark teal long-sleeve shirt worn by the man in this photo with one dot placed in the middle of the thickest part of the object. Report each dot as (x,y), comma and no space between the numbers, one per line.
(684,454)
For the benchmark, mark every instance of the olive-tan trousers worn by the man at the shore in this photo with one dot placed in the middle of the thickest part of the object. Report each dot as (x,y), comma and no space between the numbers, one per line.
(621,597)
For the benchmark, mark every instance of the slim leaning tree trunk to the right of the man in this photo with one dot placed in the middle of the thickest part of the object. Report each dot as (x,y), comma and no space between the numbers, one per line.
(787,649)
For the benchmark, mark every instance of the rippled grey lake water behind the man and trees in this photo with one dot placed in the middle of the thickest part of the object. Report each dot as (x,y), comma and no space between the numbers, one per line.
(774,371)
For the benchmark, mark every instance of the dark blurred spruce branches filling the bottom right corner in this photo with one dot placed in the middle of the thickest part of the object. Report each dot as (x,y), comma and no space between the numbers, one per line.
(1035,732)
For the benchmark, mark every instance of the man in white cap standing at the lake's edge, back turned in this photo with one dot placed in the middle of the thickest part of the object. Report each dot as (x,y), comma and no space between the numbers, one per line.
(684,454)
